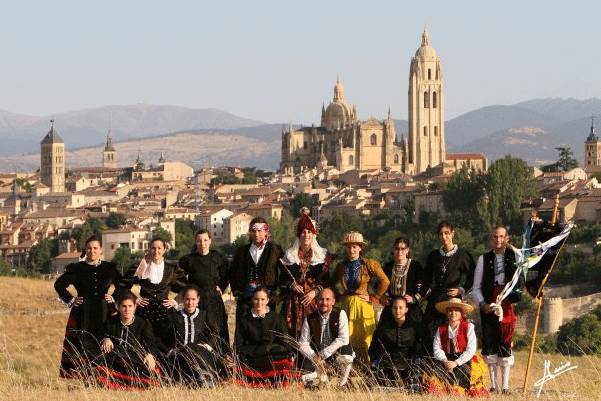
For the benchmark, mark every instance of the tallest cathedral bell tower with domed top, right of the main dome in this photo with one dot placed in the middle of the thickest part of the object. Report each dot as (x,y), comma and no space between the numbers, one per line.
(426,109)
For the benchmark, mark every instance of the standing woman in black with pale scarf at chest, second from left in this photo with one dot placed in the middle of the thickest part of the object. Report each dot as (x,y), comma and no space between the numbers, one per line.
(156,278)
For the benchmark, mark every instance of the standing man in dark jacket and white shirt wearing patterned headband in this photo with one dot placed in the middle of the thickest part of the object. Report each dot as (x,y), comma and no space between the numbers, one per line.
(255,265)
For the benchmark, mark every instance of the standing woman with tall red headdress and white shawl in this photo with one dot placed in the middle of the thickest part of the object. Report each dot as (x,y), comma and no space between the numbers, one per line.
(306,273)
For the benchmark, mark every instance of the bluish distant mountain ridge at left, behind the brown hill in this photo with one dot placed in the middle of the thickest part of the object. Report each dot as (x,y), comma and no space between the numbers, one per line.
(22,133)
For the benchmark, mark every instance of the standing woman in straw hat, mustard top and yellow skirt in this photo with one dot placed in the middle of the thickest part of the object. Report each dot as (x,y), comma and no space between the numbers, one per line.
(354,275)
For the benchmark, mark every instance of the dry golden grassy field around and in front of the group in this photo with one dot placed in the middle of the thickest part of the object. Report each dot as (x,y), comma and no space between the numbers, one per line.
(32,325)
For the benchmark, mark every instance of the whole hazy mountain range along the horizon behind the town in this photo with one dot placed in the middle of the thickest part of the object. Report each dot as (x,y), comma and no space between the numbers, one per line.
(530,130)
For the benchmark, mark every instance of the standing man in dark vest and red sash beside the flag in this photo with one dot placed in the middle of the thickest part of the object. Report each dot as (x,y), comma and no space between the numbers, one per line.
(493,270)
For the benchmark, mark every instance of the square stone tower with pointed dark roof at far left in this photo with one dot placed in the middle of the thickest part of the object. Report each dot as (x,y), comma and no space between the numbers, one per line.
(52,165)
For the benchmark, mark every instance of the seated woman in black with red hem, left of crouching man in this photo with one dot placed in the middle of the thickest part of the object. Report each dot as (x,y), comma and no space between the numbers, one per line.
(262,346)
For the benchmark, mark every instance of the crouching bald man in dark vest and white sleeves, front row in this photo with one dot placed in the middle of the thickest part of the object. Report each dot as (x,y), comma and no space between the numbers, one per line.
(324,341)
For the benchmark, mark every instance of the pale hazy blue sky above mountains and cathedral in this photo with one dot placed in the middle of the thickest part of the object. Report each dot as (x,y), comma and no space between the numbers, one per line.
(278,60)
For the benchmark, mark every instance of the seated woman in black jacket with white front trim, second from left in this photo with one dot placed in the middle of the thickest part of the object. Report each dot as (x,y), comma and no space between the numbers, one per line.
(193,359)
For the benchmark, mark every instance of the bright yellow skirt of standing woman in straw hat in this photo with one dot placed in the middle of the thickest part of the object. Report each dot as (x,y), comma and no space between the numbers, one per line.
(362,324)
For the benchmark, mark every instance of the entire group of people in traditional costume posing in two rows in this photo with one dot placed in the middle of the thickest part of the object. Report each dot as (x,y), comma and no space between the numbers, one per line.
(300,317)
